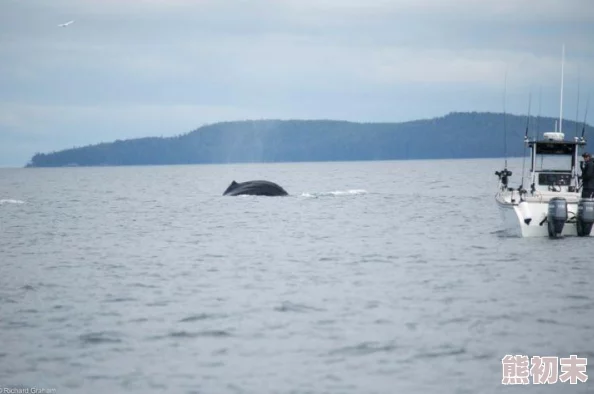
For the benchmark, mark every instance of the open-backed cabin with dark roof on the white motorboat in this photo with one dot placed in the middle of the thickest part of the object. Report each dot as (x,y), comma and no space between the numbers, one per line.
(554,163)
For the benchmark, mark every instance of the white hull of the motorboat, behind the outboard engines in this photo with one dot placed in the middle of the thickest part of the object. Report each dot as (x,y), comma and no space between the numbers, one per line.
(514,216)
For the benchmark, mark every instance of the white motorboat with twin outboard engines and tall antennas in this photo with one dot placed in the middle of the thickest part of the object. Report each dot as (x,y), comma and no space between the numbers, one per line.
(553,206)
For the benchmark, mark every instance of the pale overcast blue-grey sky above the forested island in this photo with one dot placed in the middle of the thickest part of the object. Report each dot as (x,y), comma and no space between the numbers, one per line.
(135,68)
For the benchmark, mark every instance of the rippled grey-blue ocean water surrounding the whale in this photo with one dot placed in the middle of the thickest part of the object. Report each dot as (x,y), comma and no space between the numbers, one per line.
(371,277)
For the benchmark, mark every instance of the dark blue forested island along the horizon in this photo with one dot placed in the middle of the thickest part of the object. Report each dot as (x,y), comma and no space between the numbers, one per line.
(456,135)
